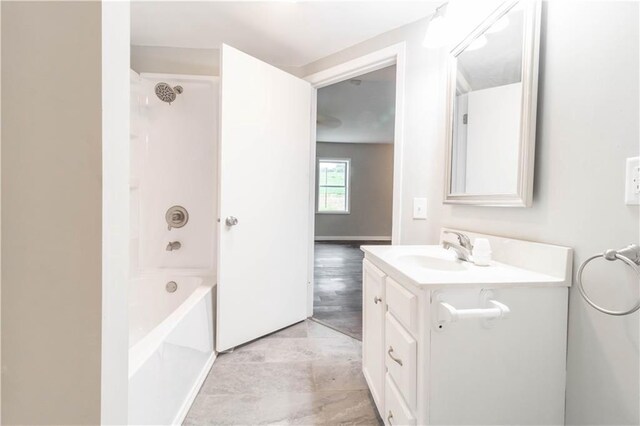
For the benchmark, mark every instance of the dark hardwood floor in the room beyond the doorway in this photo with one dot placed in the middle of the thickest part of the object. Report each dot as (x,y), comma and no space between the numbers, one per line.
(338,285)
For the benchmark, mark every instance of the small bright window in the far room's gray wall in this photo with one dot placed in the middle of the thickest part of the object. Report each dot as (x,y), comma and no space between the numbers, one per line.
(333,186)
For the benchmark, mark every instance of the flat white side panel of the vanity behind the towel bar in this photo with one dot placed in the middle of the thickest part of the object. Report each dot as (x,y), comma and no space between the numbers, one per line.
(506,373)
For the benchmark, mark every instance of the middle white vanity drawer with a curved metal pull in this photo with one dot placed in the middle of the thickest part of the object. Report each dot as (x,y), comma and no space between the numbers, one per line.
(401,353)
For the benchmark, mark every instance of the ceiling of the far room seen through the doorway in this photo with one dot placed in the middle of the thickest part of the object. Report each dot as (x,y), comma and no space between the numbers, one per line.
(360,110)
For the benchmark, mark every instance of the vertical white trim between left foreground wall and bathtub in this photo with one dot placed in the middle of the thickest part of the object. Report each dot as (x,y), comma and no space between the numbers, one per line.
(116,90)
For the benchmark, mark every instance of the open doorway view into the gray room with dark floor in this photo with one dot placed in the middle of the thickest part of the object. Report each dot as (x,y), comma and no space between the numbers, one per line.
(355,132)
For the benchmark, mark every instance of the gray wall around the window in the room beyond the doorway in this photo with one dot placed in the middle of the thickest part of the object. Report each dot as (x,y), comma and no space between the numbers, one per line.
(371,191)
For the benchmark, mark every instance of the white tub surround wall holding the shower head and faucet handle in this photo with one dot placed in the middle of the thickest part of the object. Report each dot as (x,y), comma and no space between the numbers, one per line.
(174,163)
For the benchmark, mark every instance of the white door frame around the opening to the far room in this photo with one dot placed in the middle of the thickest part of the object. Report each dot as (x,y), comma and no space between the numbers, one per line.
(392,55)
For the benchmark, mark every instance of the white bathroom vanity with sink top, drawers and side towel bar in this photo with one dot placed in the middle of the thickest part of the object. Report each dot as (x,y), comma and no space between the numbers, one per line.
(449,342)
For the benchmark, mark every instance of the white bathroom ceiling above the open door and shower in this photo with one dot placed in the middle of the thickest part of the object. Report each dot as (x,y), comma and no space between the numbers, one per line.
(283,33)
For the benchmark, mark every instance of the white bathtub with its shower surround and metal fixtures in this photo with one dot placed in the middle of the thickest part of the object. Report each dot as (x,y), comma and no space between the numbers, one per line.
(173,243)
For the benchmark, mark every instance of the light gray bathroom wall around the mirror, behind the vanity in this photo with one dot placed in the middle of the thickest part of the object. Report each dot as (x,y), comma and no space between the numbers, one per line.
(588,124)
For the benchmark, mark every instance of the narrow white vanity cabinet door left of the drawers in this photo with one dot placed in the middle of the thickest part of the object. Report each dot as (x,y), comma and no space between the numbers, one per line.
(373,331)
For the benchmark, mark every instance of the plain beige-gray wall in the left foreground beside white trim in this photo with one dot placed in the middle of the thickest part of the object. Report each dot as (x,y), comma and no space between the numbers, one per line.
(51,236)
